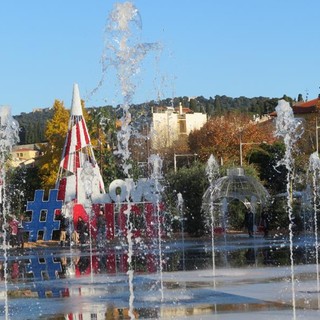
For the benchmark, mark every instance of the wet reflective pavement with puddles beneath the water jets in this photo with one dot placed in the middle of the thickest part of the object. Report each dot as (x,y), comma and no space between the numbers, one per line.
(251,279)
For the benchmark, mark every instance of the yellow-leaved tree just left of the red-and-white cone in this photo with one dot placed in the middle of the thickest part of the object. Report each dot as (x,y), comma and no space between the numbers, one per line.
(55,133)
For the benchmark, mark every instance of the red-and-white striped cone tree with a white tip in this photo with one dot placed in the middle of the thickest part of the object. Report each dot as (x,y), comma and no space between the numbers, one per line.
(78,167)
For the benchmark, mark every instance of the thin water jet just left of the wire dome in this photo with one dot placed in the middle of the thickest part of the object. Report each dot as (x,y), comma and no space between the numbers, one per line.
(212,171)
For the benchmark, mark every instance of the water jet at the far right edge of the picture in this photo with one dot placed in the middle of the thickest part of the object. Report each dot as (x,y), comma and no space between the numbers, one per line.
(314,168)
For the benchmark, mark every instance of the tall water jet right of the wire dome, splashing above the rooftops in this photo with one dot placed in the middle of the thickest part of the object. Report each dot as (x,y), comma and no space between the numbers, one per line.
(290,129)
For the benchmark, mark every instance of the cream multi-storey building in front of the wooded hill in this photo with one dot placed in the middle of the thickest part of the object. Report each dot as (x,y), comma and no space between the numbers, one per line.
(169,123)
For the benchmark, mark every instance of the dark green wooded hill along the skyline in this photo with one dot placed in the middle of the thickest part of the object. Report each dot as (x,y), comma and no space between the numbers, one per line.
(33,124)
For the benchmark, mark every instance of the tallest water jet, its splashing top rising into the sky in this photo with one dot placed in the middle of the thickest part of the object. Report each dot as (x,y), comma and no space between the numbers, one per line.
(124,52)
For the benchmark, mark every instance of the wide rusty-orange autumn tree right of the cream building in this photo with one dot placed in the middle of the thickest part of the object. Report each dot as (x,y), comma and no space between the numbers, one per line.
(221,136)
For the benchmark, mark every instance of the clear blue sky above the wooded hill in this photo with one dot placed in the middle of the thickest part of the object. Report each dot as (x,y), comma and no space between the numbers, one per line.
(205,48)
